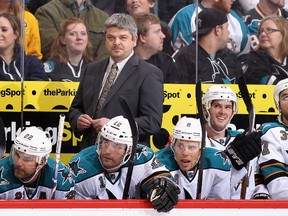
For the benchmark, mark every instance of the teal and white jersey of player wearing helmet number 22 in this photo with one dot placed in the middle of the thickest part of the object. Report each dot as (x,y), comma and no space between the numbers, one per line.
(12,188)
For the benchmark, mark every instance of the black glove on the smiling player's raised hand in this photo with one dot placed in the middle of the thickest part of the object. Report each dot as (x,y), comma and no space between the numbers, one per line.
(244,148)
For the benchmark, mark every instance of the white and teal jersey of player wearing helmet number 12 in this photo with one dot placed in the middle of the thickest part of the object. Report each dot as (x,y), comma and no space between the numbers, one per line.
(92,182)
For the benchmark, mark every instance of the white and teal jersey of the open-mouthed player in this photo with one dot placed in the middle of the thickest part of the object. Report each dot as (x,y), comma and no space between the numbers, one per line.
(216,175)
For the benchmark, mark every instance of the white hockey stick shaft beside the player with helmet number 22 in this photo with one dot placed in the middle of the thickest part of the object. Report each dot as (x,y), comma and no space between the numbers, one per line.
(57,155)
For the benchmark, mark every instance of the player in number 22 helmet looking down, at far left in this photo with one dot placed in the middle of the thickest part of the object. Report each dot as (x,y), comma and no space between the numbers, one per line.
(28,172)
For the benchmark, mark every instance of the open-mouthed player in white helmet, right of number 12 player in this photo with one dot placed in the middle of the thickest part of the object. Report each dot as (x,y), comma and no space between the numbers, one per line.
(182,156)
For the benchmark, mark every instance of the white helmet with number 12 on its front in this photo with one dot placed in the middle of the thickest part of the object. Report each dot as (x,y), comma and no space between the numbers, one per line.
(116,130)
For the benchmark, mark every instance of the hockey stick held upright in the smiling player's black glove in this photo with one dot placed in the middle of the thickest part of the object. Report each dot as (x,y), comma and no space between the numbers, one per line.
(251,114)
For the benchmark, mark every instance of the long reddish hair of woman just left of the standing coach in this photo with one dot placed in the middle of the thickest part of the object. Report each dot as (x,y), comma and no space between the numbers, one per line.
(59,49)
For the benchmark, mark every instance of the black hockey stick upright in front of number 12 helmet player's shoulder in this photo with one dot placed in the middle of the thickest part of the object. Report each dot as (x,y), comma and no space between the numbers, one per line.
(134,131)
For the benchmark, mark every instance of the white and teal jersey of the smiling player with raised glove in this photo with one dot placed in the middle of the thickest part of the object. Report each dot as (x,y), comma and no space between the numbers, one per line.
(236,175)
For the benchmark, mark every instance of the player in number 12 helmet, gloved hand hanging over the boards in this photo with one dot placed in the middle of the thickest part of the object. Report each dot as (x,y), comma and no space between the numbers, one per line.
(100,171)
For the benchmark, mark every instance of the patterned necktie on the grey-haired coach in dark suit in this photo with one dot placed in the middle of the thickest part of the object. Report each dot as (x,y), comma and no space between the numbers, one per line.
(106,88)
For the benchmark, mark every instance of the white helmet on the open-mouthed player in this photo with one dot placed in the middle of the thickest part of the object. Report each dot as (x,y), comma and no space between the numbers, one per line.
(187,128)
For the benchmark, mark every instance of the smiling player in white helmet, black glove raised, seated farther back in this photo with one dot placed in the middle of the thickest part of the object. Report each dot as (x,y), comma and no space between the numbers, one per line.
(220,105)
